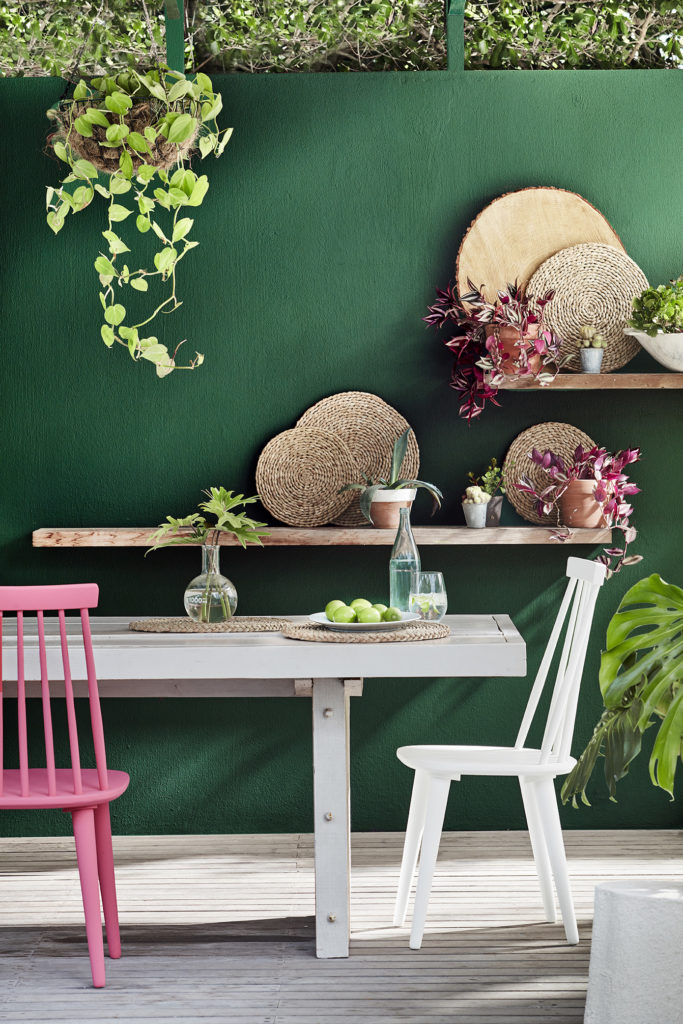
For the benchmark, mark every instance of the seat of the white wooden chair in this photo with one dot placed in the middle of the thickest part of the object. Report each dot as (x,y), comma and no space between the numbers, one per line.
(453,762)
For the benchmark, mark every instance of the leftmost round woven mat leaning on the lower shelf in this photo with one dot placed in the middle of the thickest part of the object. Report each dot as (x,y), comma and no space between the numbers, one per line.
(300,475)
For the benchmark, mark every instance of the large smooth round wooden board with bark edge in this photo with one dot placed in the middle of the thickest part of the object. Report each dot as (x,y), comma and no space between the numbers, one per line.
(519,232)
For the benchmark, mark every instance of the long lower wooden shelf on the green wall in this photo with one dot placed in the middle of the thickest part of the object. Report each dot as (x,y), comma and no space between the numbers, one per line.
(281,537)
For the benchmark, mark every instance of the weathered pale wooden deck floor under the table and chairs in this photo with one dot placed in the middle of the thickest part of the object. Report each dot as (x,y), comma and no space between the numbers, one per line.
(220,929)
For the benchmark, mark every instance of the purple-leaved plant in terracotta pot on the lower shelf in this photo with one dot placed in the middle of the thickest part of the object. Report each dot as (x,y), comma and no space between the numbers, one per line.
(592,490)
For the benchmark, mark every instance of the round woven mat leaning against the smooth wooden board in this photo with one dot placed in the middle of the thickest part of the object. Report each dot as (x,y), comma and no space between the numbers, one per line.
(594,285)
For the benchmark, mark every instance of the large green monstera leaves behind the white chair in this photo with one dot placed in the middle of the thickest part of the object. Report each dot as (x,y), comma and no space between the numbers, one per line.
(642,681)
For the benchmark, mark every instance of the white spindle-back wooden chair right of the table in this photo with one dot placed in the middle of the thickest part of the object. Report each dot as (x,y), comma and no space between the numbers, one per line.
(437,767)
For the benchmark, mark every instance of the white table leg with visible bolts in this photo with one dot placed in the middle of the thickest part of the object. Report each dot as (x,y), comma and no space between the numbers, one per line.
(332,817)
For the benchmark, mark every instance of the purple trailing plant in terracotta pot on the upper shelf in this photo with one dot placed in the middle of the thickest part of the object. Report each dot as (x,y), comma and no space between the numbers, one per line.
(495,342)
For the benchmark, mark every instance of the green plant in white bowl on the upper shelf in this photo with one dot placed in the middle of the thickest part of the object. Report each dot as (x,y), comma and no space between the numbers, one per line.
(658,323)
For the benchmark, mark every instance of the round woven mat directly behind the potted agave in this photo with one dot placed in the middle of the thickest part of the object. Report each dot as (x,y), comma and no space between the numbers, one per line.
(369,426)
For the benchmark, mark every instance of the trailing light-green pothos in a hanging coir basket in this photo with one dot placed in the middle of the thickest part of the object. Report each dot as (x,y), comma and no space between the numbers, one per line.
(131,139)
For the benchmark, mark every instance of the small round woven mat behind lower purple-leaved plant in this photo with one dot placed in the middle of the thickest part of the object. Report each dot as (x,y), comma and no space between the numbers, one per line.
(562,439)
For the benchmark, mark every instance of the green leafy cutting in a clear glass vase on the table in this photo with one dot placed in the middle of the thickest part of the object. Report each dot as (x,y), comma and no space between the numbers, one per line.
(210,598)
